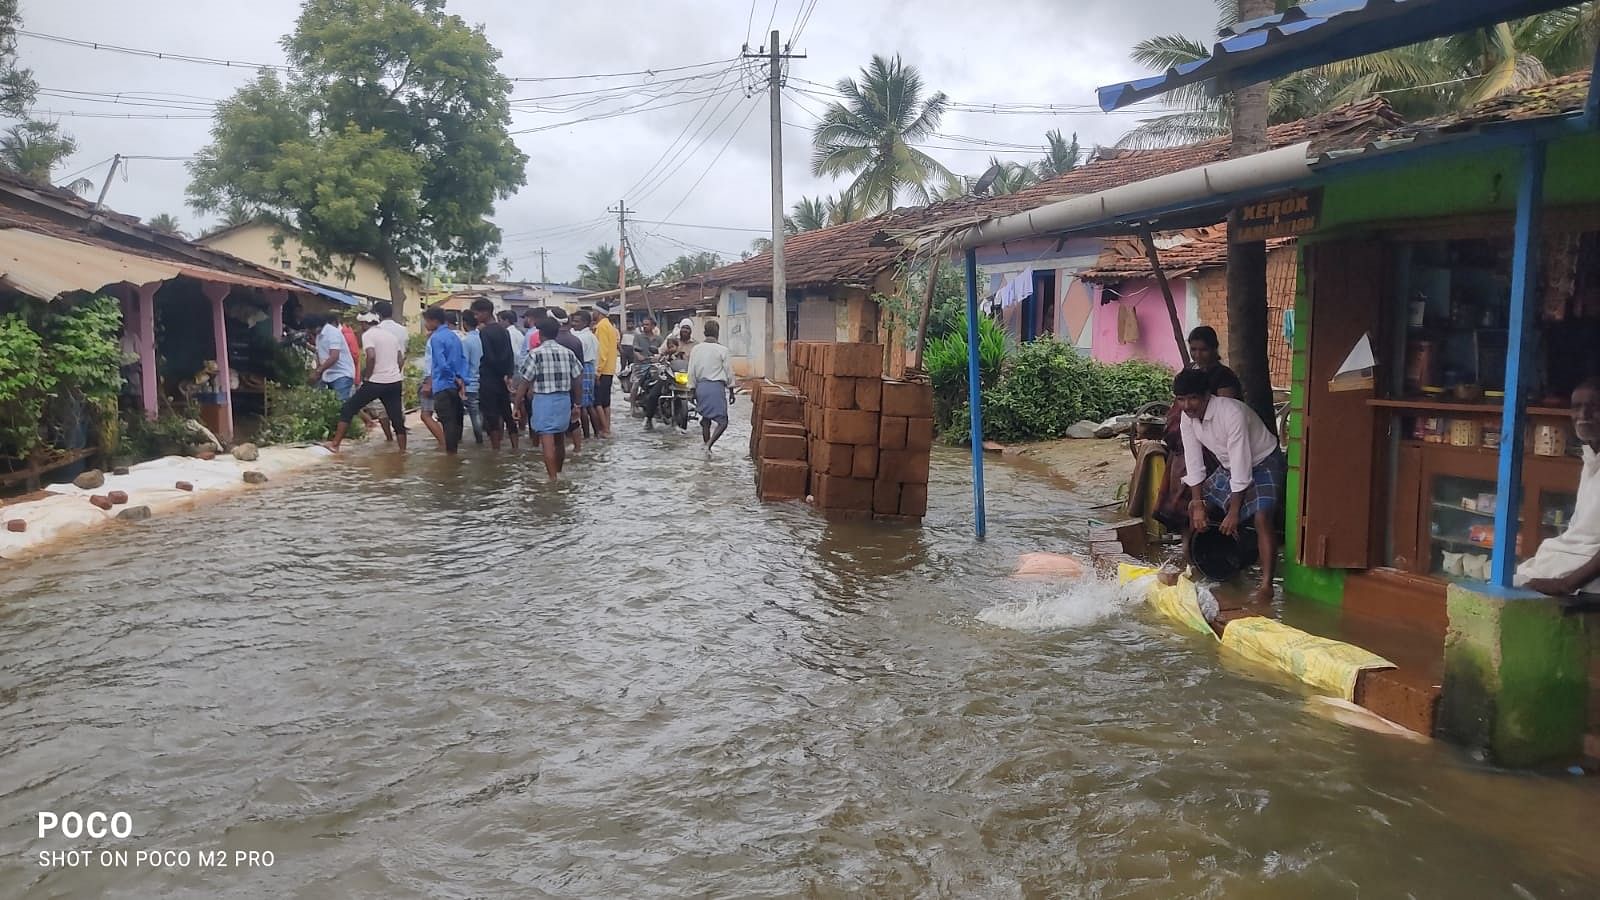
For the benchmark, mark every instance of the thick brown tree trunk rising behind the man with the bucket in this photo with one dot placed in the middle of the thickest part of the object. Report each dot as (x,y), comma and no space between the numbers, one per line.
(1247,263)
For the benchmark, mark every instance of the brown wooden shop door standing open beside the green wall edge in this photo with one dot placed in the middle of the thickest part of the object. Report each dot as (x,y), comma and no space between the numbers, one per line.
(1348,283)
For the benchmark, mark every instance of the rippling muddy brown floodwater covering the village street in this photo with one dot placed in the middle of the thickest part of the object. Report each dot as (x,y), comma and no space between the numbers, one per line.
(449,680)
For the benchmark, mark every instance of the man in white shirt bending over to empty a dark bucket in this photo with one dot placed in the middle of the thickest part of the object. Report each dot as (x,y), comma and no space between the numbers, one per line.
(1249,483)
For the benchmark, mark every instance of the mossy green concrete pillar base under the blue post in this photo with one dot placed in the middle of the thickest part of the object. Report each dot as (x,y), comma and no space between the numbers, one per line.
(1516,677)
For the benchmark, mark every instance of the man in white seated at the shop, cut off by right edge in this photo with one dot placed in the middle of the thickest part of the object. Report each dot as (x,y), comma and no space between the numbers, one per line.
(1570,565)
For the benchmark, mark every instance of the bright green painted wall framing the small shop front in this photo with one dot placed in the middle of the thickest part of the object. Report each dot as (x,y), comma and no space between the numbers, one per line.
(1434,188)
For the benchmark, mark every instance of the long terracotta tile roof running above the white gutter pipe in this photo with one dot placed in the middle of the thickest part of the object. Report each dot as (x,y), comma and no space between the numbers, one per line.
(857,254)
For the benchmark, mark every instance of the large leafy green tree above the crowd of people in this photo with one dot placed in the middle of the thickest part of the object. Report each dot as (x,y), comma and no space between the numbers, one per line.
(390,140)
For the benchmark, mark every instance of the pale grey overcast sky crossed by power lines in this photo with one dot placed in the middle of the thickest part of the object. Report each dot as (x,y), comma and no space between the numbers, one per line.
(1044,52)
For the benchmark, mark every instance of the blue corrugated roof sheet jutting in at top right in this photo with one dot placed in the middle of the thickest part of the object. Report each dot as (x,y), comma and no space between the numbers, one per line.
(1319,33)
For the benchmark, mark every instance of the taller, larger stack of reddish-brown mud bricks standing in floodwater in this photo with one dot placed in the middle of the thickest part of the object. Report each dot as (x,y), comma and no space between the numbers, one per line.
(870,438)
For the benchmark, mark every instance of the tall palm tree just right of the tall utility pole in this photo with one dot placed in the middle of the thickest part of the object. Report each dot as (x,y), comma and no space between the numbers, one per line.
(871,135)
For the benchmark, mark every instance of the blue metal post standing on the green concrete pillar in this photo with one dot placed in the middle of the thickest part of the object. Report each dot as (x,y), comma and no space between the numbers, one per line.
(1519,356)
